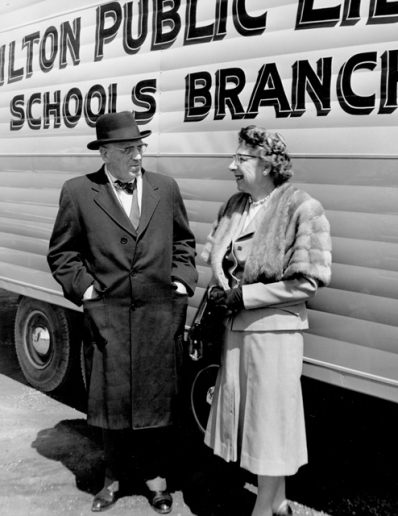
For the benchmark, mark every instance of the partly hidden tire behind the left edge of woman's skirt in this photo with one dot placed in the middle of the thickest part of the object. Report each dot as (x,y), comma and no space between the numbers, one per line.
(202,391)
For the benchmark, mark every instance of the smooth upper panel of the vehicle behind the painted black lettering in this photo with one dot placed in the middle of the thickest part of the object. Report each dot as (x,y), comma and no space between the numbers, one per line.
(279,45)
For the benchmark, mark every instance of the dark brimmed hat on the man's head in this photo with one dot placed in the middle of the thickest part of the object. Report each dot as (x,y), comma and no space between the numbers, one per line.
(116,127)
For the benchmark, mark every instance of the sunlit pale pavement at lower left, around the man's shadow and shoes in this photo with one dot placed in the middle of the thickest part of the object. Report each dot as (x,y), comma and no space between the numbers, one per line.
(51,461)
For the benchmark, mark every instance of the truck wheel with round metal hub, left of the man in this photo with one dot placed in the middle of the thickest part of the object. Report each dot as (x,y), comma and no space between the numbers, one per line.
(43,342)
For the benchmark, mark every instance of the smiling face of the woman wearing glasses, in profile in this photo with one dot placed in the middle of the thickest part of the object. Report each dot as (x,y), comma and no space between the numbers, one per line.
(249,169)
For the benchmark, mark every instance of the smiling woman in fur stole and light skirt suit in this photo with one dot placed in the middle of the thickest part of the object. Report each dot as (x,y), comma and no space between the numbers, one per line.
(269,251)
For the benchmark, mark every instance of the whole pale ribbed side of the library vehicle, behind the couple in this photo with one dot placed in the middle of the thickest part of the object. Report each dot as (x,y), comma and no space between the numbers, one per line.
(348,162)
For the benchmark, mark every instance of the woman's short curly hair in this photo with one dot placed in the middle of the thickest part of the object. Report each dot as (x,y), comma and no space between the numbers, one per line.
(273,151)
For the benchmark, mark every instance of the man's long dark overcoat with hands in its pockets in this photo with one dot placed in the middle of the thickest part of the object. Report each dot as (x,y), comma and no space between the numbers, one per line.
(137,322)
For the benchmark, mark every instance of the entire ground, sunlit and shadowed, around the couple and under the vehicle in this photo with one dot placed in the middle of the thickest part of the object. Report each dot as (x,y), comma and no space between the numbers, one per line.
(51,461)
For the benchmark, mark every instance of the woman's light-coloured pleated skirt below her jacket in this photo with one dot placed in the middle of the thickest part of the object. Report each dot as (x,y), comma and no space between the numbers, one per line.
(257,411)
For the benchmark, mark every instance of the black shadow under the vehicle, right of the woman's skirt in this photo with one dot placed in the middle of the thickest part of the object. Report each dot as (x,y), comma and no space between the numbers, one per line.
(353,448)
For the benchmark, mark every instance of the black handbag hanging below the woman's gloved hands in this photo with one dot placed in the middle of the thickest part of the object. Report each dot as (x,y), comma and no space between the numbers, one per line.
(206,333)
